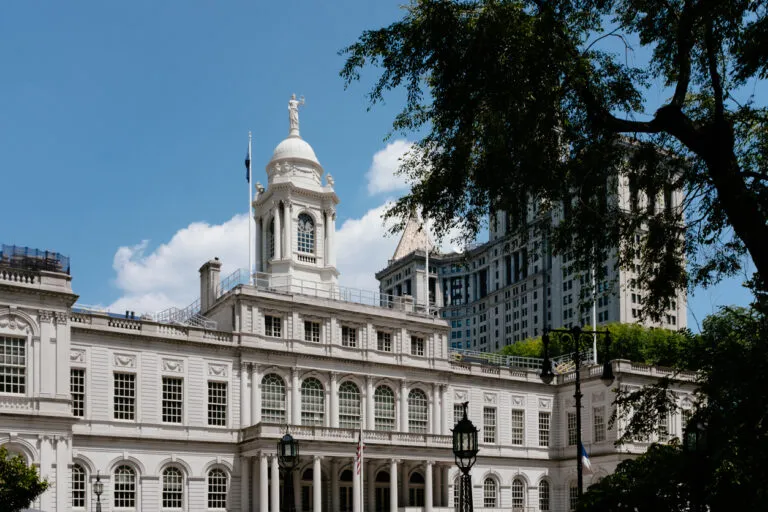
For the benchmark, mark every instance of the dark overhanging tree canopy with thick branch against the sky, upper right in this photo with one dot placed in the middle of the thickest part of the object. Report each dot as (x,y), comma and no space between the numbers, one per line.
(524,110)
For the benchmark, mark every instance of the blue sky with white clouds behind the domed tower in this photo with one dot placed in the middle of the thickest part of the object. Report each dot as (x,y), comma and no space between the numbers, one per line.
(124,127)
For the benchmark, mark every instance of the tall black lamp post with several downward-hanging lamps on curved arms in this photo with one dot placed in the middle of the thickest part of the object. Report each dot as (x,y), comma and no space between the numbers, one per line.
(575,336)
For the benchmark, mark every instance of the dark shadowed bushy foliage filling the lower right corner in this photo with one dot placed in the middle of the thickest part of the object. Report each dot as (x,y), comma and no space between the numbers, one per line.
(732,361)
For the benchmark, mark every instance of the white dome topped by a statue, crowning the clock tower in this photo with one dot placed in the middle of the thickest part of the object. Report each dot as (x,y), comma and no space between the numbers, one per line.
(294,160)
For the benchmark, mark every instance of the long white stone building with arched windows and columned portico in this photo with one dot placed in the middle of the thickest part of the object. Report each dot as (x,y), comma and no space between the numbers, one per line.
(183,410)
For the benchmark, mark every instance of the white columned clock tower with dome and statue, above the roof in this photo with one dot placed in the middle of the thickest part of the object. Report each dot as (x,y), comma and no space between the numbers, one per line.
(295,214)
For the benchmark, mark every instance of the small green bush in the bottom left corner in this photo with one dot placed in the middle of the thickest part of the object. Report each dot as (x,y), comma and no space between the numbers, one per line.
(19,484)
